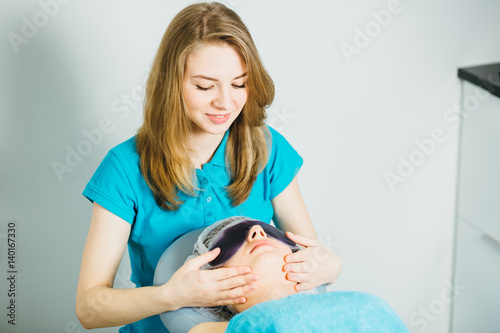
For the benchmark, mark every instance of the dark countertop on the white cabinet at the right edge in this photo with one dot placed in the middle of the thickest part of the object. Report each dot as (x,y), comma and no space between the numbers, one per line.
(484,76)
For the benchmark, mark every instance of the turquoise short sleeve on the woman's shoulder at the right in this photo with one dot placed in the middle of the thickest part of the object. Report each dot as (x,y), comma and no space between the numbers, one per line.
(283,165)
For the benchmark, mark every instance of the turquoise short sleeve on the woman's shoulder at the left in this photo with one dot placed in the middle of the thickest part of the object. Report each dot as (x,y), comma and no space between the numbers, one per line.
(110,187)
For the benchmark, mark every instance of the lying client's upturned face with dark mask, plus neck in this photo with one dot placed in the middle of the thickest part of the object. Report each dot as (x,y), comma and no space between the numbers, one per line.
(265,253)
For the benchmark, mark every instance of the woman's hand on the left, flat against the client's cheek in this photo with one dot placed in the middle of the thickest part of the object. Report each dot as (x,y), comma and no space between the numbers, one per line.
(192,287)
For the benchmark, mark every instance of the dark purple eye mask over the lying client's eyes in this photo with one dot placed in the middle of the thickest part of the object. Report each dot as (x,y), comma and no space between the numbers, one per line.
(232,238)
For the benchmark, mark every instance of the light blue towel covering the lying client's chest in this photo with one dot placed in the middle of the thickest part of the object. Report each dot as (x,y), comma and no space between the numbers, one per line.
(340,311)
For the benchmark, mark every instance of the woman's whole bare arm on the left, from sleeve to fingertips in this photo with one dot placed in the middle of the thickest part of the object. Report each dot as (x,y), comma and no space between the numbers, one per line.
(99,305)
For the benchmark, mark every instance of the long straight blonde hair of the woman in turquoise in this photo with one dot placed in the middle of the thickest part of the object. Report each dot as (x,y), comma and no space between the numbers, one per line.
(162,139)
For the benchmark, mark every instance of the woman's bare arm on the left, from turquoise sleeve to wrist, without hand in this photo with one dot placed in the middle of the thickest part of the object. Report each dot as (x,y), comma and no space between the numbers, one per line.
(97,303)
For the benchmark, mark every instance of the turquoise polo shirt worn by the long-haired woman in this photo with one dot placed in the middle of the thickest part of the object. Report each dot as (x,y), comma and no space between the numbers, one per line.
(119,186)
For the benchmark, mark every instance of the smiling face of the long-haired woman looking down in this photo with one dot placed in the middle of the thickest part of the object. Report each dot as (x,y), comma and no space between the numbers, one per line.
(214,87)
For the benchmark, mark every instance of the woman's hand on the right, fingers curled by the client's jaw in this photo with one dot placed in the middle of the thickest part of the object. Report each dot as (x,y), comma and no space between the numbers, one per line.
(312,266)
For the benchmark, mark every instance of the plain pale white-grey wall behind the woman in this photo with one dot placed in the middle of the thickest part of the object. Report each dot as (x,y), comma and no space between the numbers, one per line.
(351,118)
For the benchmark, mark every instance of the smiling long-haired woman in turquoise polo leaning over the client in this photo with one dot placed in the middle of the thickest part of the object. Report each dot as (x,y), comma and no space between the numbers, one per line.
(202,154)
